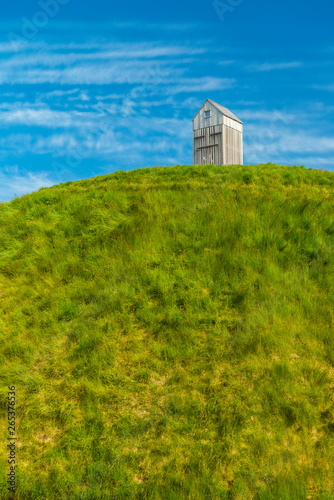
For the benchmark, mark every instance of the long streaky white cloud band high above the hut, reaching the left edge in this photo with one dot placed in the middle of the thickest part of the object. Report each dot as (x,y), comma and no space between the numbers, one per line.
(100,64)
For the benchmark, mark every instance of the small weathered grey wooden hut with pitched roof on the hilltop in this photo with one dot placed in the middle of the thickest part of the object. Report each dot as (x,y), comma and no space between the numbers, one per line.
(218,139)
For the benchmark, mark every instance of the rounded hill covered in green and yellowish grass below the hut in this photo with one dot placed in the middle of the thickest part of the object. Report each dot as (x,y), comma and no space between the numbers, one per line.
(169,333)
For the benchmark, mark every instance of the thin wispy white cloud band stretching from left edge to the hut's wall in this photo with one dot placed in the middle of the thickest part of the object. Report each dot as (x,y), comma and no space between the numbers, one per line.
(96,140)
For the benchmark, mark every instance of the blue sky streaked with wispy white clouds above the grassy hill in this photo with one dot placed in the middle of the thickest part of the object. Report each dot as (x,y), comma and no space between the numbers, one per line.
(91,87)
